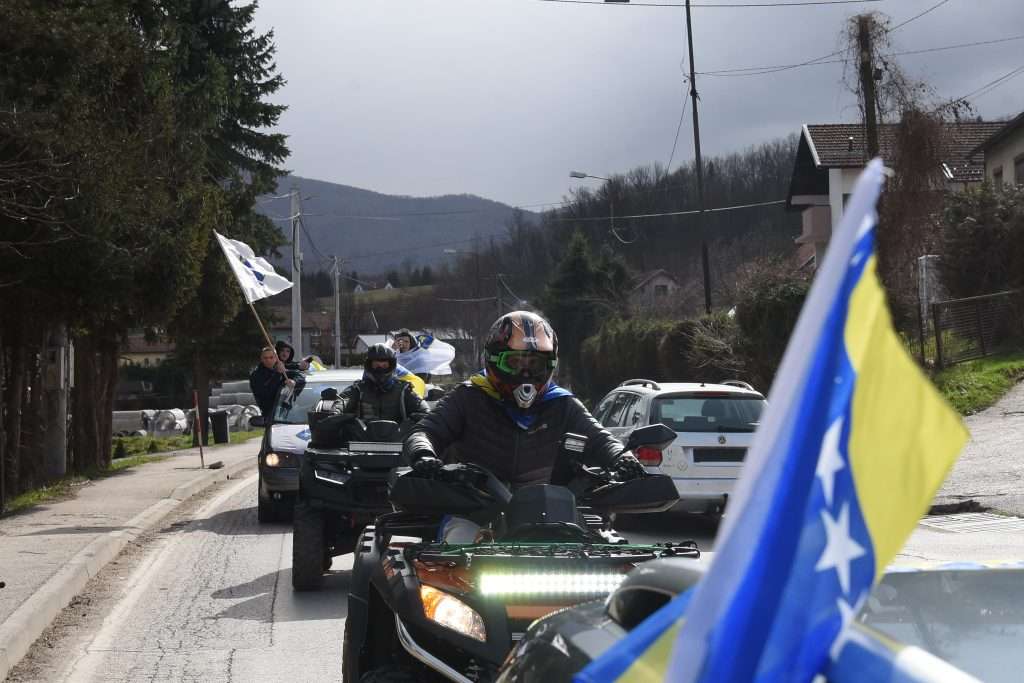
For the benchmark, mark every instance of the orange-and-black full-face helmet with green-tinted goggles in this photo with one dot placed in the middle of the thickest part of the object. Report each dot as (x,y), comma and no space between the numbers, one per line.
(521,357)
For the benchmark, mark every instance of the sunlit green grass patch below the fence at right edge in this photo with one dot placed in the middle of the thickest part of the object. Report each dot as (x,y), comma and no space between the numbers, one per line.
(974,386)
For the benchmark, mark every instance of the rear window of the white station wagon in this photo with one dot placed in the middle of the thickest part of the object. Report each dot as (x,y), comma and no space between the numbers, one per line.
(708,413)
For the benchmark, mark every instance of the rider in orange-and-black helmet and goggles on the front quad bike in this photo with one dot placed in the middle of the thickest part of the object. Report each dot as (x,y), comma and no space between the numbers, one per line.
(514,406)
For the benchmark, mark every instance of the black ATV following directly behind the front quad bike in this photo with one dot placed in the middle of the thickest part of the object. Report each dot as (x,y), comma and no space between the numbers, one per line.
(343,488)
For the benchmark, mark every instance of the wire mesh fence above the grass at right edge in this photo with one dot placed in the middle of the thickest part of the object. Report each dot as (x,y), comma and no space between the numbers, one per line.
(975,327)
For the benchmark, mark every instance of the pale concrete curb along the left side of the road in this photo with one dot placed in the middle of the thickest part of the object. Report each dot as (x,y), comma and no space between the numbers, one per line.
(27,623)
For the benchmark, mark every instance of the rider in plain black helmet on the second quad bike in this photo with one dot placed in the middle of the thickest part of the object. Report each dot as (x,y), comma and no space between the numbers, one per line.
(381,396)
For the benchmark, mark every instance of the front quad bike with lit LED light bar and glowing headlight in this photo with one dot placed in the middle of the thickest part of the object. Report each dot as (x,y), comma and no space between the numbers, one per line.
(422,611)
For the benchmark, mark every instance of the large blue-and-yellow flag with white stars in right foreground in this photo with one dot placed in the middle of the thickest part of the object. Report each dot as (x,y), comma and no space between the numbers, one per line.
(851,450)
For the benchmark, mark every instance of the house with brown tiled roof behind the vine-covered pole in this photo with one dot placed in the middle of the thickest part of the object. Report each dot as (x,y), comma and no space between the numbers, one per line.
(831,157)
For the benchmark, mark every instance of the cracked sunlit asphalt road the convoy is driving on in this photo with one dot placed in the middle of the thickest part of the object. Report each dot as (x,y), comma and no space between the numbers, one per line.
(209,599)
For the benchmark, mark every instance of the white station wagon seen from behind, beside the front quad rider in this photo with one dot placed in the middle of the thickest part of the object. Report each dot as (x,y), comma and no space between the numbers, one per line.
(714,425)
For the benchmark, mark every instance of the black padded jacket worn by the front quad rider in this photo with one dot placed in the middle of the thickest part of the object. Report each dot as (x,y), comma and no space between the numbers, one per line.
(483,433)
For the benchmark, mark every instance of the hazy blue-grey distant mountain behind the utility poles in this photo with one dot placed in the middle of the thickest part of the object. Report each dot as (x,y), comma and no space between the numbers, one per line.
(377,233)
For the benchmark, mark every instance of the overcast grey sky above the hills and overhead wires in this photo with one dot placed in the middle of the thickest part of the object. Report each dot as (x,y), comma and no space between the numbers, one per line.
(503,98)
